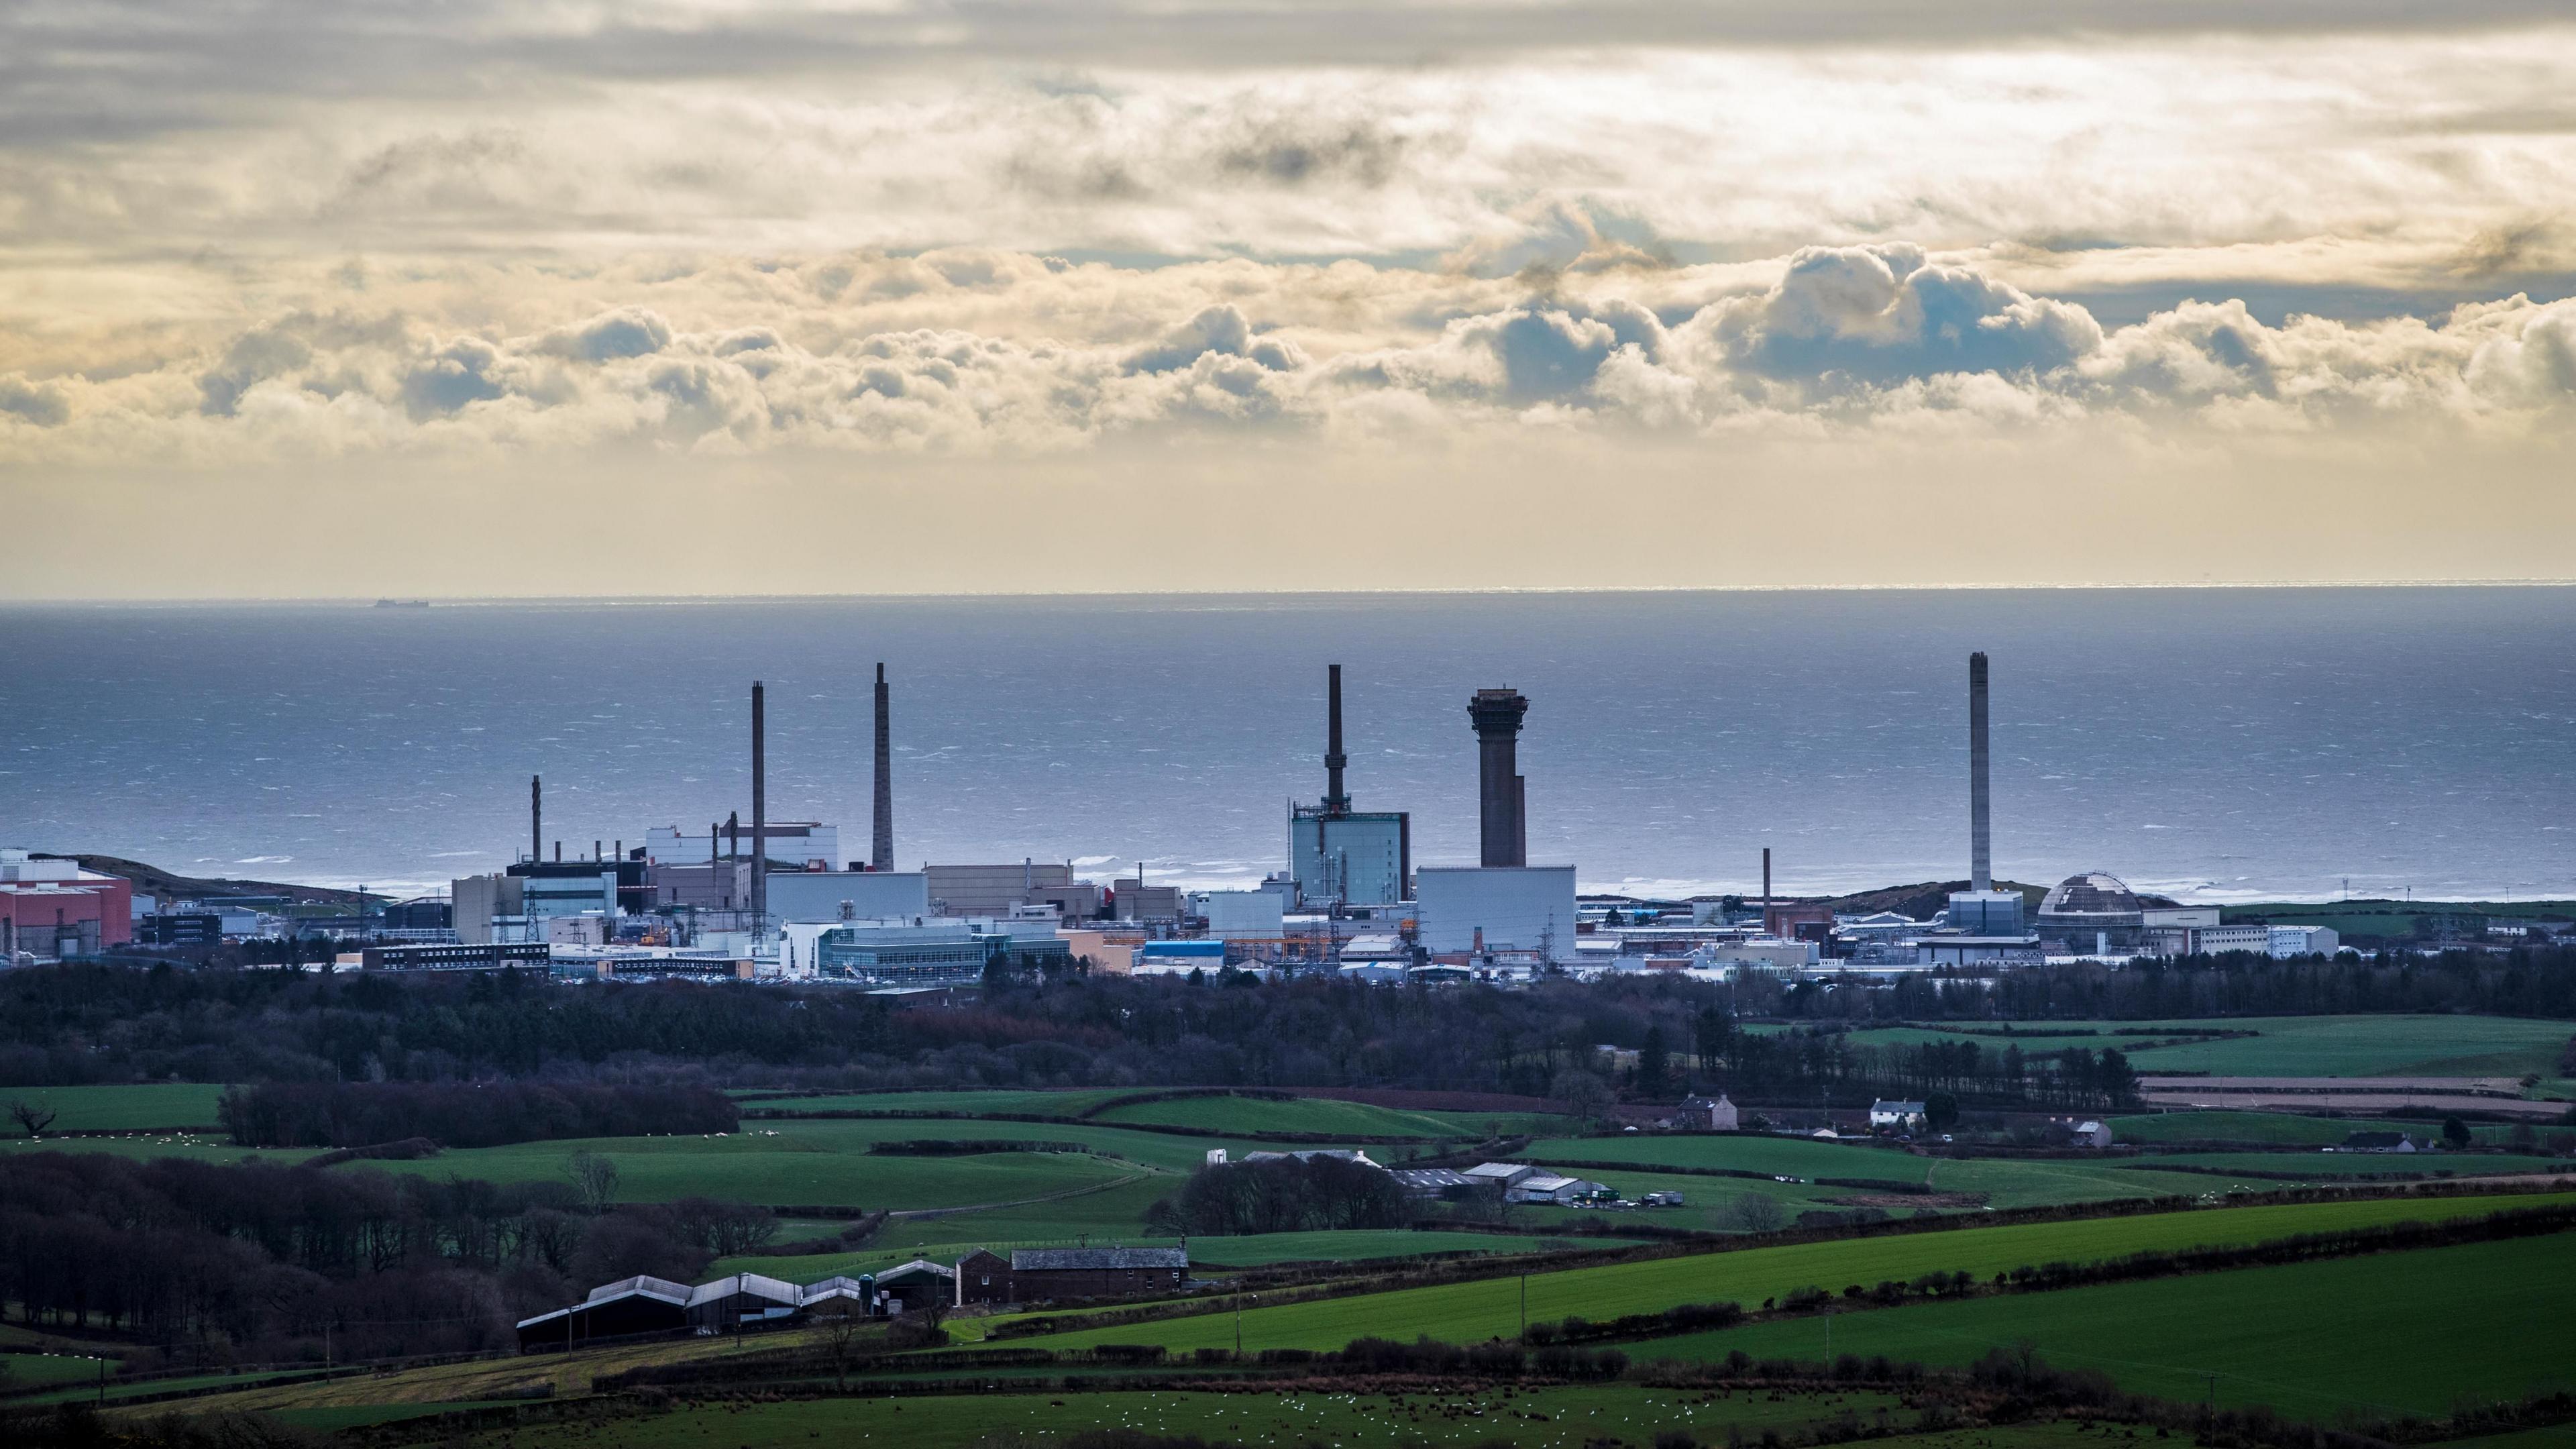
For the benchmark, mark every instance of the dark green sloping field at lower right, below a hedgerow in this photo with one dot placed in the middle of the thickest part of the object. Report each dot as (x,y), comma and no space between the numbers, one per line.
(2382,1334)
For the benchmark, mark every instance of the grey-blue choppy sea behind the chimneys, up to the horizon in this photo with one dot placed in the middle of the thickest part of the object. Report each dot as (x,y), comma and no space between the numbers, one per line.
(2209,744)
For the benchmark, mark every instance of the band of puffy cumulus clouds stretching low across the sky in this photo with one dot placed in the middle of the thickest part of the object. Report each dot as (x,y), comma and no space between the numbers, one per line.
(990,355)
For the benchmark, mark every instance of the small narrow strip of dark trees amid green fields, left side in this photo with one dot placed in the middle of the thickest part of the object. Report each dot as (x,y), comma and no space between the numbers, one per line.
(465,1115)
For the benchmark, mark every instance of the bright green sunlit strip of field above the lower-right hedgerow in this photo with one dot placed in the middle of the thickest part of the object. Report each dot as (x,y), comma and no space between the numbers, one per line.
(1467,1314)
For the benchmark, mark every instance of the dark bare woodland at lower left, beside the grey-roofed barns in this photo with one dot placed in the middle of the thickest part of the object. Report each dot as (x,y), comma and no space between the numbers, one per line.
(218,1265)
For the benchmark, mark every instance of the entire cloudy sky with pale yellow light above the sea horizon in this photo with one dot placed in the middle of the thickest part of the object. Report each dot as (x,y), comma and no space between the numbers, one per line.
(560,298)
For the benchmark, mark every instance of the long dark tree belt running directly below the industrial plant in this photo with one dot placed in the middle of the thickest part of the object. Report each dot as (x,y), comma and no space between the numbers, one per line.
(97,1022)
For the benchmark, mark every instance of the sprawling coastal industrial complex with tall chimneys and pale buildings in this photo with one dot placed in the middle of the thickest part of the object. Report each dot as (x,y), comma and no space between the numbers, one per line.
(779,901)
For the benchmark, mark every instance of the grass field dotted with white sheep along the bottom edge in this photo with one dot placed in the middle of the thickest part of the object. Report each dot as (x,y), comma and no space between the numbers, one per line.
(1539,1419)
